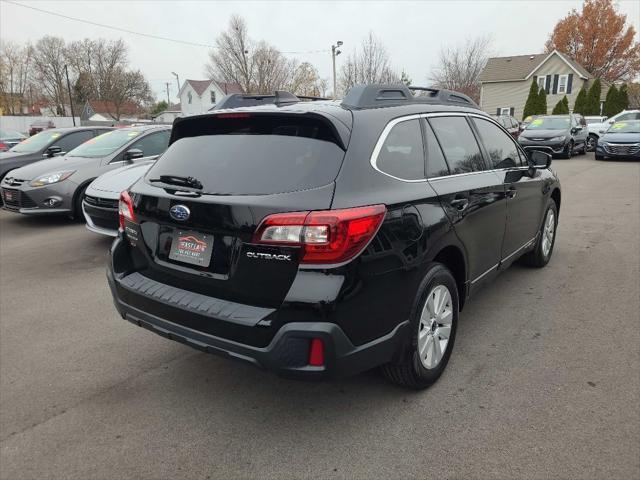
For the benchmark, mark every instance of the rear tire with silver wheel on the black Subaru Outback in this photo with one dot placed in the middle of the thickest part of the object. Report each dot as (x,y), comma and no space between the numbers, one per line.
(416,371)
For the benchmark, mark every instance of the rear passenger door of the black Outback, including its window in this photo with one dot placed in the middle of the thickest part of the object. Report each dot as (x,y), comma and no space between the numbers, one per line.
(472,196)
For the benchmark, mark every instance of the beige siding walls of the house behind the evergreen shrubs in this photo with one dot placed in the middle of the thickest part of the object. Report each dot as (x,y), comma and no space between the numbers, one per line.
(514,94)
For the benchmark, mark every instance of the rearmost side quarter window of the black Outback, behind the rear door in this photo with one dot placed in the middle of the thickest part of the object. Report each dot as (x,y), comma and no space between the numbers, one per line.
(402,154)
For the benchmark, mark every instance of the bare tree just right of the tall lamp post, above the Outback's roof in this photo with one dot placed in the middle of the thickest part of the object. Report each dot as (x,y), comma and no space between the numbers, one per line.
(368,65)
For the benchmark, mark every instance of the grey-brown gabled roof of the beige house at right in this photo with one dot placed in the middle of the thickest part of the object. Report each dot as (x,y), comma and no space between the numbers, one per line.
(521,67)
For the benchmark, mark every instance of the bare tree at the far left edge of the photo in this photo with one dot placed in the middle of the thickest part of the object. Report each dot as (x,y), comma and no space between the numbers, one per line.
(15,65)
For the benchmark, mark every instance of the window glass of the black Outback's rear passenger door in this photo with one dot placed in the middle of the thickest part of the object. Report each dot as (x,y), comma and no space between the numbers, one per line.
(458,144)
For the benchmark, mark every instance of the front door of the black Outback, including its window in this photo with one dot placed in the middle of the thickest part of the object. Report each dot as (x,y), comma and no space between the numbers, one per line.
(525,199)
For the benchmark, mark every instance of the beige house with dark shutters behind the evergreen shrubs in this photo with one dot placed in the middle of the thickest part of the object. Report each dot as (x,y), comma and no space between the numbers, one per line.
(505,81)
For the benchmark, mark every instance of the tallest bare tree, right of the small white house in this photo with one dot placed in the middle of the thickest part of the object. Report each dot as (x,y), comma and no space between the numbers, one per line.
(256,66)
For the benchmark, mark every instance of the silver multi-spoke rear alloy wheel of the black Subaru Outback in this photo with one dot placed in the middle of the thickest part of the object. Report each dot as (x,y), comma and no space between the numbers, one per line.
(434,328)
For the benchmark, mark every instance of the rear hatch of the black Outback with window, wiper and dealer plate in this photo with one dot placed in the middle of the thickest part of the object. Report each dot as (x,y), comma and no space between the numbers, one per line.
(198,207)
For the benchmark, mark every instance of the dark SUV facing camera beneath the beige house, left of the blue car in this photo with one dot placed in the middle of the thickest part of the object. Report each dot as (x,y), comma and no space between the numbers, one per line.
(561,135)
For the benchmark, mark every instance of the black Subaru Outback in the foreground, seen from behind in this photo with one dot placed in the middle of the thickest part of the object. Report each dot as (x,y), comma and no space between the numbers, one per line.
(321,239)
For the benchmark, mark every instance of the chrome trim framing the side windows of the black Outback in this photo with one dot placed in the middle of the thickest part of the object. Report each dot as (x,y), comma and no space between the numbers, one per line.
(392,123)
